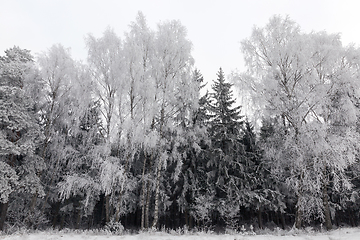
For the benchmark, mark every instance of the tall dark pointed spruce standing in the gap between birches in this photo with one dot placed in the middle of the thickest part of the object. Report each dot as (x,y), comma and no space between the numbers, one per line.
(226,175)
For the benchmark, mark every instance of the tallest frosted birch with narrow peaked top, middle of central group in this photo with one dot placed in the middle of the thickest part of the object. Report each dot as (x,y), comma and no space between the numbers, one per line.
(139,53)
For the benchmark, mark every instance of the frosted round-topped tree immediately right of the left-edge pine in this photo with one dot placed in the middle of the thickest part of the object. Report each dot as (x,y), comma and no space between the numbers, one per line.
(59,110)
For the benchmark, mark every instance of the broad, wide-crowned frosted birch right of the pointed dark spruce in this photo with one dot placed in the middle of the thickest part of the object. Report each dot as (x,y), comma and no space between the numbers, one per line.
(295,73)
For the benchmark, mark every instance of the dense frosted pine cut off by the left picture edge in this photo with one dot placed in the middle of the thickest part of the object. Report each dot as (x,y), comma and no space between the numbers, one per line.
(20,134)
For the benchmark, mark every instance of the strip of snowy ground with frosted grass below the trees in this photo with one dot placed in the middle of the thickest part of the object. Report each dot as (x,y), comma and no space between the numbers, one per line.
(341,234)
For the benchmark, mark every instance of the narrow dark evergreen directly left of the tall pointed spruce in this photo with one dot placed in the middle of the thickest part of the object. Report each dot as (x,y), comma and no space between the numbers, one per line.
(192,149)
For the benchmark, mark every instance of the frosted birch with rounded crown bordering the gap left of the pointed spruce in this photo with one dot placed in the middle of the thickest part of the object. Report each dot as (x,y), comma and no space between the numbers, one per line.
(171,70)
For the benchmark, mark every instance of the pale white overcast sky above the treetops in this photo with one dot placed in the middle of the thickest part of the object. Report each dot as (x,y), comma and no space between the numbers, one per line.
(214,27)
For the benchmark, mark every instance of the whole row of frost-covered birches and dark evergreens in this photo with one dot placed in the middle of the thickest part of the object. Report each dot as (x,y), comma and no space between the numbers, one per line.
(135,138)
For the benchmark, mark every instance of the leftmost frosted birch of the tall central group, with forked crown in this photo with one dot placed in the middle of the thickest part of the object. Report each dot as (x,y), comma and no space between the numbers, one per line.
(105,57)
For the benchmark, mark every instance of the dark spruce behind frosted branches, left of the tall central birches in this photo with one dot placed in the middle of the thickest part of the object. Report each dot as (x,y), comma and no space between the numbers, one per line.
(80,186)
